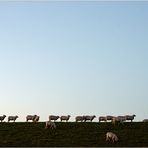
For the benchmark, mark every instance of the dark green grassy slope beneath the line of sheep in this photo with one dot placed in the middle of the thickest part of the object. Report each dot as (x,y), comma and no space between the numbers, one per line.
(72,134)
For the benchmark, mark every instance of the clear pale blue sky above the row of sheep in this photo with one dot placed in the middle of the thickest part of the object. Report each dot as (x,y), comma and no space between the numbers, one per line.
(73,57)
